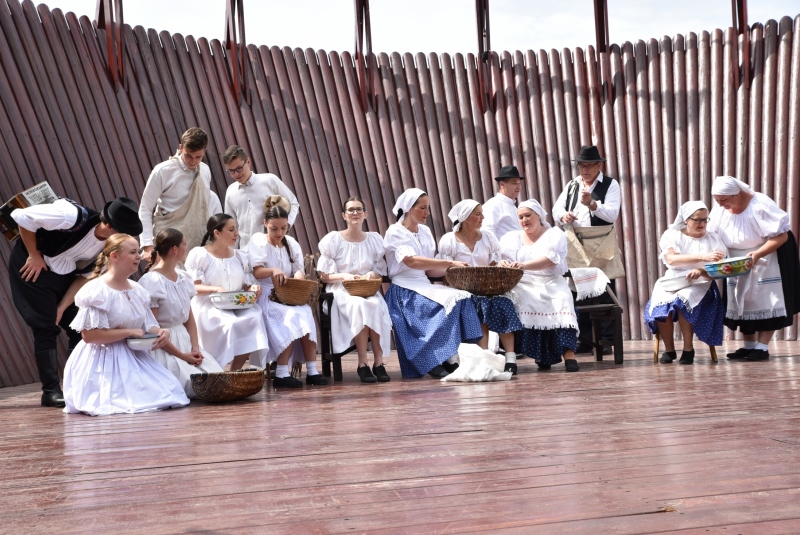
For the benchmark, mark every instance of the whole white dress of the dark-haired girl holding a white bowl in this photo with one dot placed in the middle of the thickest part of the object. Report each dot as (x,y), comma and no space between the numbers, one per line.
(225,333)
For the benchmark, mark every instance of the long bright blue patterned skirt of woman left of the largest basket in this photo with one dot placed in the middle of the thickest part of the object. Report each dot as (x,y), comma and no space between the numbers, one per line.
(424,334)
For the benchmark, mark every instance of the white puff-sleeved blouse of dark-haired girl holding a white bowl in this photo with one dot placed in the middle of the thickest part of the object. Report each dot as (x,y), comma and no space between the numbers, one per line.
(230,273)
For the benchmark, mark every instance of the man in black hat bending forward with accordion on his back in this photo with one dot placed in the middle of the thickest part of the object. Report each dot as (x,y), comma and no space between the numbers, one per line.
(58,242)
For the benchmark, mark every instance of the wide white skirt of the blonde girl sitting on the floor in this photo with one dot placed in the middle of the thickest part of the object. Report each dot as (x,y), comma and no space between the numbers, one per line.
(102,379)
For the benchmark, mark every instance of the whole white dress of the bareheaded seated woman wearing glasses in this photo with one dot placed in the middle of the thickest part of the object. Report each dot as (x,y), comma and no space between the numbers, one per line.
(351,314)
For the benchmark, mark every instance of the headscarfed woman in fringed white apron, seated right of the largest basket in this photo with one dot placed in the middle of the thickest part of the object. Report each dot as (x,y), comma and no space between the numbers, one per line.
(542,298)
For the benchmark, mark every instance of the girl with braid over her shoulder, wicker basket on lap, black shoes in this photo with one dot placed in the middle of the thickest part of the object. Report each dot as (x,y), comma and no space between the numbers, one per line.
(276,257)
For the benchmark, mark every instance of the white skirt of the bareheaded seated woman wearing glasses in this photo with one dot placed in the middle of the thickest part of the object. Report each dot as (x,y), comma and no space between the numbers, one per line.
(351,314)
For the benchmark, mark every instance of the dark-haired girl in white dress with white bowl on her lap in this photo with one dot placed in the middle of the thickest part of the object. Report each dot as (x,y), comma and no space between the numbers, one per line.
(228,335)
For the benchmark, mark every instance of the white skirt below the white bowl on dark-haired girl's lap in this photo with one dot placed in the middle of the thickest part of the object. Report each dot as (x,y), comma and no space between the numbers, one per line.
(227,333)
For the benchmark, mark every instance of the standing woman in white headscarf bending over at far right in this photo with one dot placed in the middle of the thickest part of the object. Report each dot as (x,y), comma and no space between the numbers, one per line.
(767,298)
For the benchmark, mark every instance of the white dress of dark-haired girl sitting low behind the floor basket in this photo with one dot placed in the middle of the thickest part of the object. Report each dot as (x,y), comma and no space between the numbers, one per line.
(174,302)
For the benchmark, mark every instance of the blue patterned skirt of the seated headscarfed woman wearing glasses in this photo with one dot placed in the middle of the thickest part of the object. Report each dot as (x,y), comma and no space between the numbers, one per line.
(706,318)
